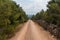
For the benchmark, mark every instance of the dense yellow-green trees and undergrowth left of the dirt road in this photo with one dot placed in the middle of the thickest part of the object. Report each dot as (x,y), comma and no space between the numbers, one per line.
(11,14)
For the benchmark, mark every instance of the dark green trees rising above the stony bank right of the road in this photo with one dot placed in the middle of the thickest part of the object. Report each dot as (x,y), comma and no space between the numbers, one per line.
(51,15)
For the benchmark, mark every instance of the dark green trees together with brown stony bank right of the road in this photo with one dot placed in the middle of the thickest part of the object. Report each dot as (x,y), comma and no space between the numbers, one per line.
(51,17)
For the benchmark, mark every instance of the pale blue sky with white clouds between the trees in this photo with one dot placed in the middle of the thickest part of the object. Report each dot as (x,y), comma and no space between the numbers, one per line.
(32,6)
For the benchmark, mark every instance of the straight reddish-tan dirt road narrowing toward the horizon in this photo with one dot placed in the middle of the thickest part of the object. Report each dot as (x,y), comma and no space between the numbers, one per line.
(32,31)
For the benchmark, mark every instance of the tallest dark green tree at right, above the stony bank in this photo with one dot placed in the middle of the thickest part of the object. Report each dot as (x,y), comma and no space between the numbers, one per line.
(54,12)
